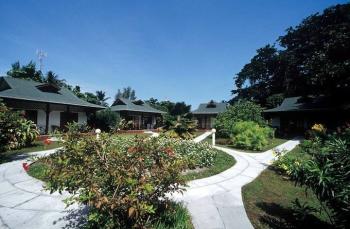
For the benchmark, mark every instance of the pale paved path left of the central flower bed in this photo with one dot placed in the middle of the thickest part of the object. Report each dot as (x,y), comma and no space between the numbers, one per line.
(24,203)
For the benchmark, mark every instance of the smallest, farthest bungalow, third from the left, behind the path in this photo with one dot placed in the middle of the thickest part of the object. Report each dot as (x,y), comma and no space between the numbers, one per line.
(207,112)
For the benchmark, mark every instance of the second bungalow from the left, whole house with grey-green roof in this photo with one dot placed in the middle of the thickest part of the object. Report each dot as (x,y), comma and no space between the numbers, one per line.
(142,115)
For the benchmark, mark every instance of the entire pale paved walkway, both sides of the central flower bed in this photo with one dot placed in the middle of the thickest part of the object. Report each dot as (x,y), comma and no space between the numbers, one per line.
(214,202)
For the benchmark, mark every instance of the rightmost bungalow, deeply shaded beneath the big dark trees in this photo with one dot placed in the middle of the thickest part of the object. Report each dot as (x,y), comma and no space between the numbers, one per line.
(297,114)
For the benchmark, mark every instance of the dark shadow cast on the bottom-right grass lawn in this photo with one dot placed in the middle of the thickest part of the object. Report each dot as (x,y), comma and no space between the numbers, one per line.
(279,217)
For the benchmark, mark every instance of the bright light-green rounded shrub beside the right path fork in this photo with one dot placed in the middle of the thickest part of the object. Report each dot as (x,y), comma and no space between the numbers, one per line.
(249,135)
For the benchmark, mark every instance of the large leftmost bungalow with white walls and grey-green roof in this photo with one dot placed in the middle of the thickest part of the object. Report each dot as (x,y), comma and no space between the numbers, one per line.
(47,105)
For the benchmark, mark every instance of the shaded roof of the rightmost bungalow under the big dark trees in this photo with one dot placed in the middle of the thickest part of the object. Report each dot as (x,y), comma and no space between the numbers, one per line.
(299,103)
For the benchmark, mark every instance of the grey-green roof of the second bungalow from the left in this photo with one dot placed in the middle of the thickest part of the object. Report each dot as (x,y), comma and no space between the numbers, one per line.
(129,105)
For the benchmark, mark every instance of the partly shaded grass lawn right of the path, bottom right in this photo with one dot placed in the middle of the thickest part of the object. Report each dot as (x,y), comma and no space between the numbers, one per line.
(268,201)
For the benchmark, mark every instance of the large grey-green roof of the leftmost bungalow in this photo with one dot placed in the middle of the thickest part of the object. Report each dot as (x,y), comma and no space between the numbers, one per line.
(14,88)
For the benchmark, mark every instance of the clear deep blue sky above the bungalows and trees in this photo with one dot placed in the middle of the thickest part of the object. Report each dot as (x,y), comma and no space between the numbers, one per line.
(186,50)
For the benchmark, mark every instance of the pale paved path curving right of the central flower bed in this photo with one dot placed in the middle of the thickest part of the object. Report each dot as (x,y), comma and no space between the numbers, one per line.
(216,202)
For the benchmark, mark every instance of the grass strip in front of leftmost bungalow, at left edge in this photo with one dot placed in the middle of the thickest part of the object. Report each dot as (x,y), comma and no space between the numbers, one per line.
(37,146)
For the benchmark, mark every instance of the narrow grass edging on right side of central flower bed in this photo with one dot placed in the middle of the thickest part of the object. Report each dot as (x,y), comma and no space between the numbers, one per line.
(222,162)
